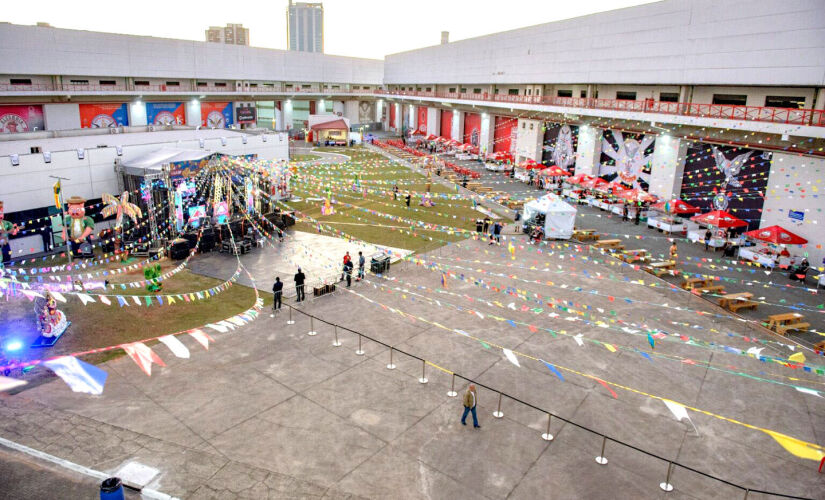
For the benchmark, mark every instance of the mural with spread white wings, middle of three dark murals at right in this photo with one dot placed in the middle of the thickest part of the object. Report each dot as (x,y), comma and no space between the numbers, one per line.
(627,158)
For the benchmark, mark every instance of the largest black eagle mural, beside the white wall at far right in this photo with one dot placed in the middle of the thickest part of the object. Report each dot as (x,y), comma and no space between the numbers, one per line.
(727,178)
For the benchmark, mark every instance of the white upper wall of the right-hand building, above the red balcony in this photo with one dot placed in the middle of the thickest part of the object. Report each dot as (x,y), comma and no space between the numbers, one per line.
(712,42)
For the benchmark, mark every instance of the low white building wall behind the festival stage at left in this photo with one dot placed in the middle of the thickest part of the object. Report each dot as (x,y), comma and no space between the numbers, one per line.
(29,186)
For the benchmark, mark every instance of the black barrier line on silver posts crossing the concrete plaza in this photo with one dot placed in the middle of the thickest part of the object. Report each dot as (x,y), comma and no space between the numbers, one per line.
(601,459)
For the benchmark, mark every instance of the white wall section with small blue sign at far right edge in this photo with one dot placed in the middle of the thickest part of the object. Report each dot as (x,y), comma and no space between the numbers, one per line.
(798,183)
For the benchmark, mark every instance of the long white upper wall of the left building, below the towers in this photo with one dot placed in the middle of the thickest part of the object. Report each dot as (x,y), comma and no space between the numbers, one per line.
(32,50)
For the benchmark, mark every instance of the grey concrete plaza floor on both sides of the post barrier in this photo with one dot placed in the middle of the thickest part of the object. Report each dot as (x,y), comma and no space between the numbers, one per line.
(269,412)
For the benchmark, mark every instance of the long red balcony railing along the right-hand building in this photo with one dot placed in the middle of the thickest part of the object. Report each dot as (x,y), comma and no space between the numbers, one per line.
(795,116)
